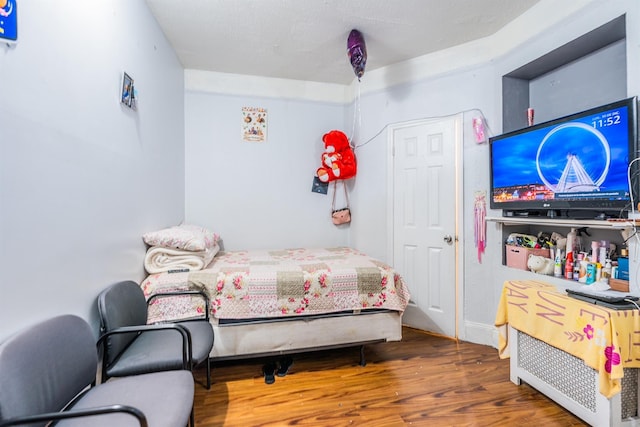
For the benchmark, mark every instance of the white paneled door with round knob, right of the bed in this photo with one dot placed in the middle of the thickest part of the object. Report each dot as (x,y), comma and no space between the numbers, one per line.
(425,193)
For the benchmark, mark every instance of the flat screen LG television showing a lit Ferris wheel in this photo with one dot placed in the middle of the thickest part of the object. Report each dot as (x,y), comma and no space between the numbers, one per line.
(575,166)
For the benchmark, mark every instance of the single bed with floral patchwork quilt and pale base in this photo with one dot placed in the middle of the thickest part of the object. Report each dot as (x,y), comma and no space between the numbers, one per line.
(266,302)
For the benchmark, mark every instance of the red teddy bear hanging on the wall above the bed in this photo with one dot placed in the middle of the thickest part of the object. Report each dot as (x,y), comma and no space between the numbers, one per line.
(338,159)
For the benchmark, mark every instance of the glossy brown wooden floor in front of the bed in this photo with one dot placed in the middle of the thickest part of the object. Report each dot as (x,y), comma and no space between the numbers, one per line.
(423,380)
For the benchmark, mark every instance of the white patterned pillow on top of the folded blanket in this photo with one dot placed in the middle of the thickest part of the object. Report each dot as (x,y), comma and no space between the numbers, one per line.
(185,236)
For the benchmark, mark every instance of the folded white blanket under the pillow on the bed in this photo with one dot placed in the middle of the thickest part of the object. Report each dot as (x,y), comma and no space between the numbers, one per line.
(160,259)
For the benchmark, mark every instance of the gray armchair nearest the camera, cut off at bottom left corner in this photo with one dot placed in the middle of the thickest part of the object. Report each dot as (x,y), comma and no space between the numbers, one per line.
(48,373)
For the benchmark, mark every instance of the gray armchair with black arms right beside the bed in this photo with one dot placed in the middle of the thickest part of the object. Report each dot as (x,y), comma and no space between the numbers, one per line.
(131,347)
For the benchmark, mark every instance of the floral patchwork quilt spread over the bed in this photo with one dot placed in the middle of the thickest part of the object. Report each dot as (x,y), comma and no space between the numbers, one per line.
(276,283)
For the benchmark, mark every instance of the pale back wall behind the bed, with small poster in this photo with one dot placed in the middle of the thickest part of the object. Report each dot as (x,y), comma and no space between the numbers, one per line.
(258,195)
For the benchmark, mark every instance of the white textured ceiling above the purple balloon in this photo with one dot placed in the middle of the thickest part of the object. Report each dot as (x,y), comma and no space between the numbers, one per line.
(307,39)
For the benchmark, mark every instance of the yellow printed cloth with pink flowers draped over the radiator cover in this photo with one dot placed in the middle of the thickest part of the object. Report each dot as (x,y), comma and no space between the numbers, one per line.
(607,340)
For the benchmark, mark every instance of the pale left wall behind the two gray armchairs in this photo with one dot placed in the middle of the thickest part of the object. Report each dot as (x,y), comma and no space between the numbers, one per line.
(81,177)
